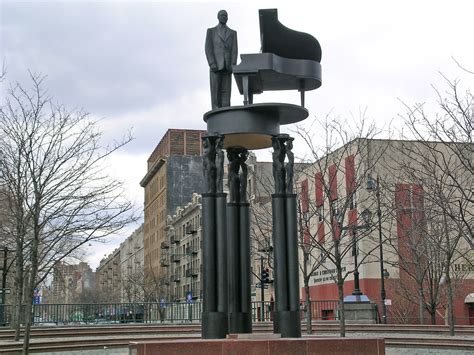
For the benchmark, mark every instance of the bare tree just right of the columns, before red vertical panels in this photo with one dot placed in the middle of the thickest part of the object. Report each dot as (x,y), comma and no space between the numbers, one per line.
(336,147)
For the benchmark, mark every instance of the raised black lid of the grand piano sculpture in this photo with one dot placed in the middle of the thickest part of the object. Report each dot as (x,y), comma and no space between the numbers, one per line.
(284,42)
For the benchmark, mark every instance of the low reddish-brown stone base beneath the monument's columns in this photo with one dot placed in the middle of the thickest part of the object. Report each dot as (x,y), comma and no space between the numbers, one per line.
(316,346)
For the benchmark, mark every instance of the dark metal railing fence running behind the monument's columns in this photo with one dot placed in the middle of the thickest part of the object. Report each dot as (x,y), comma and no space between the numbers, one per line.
(175,312)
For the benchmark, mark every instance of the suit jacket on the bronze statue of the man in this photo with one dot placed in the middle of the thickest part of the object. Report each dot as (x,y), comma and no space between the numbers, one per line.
(221,50)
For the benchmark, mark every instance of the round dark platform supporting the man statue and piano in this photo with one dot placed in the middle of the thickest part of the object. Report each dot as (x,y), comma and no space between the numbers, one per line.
(252,126)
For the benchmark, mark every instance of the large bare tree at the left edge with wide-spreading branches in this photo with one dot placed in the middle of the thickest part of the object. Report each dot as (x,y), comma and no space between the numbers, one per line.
(52,171)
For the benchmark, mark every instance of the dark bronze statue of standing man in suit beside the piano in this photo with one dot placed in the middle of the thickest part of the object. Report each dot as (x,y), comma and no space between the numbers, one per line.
(221,53)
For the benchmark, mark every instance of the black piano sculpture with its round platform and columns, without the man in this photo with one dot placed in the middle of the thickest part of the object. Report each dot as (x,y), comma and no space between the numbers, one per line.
(290,60)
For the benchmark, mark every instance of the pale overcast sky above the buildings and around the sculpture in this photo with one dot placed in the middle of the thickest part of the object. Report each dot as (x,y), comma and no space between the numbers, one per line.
(141,65)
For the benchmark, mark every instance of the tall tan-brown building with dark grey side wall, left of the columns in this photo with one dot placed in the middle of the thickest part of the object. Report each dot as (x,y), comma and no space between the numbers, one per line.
(174,174)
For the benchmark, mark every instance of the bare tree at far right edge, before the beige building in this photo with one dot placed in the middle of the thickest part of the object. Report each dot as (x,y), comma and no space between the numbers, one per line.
(442,163)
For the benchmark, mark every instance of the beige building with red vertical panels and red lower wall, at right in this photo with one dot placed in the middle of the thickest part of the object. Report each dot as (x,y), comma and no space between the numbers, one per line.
(336,191)
